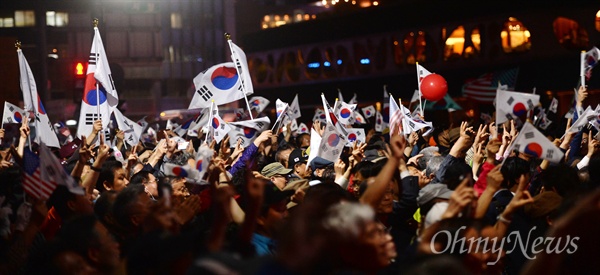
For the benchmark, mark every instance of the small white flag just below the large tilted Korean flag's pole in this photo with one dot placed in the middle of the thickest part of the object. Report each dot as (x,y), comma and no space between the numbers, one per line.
(247,130)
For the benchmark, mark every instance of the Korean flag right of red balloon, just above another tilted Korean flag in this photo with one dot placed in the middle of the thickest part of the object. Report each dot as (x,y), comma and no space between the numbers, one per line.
(512,105)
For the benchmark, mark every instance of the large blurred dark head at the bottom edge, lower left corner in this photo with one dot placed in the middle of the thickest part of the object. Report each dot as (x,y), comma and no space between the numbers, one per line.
(88,237)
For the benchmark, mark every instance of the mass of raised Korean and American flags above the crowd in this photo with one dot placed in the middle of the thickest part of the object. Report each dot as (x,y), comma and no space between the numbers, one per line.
(332,131)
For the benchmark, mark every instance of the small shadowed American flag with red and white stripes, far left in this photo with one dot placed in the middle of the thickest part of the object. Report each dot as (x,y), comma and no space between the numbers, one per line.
(32,179)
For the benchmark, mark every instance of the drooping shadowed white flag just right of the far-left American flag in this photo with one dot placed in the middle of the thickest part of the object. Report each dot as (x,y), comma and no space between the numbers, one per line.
(52,171)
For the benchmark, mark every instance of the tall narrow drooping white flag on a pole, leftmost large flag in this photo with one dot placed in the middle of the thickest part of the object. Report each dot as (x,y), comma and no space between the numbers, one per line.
(44,129)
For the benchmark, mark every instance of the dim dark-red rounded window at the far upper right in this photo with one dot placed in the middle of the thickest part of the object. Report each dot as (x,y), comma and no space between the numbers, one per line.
(570,34)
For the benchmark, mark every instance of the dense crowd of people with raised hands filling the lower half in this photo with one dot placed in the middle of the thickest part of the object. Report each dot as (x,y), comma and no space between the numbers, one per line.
(456,200)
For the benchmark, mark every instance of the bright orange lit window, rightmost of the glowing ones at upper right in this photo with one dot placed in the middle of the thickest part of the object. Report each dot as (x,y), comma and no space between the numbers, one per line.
(515,36)
